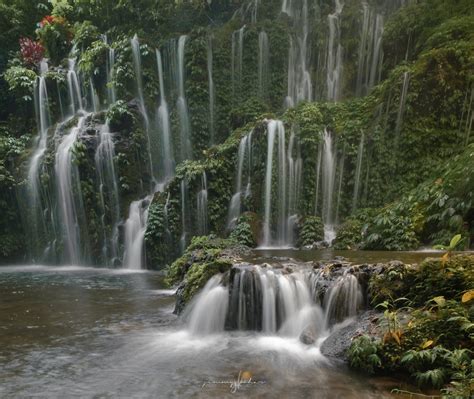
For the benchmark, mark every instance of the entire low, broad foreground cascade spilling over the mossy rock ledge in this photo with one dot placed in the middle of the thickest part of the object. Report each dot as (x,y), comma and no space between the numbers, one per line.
(274,301)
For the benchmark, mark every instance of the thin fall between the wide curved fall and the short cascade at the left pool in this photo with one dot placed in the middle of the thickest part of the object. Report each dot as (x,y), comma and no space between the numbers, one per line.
(108,194)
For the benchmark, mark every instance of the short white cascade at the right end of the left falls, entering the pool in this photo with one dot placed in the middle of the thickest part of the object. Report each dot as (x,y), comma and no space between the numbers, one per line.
(135,228)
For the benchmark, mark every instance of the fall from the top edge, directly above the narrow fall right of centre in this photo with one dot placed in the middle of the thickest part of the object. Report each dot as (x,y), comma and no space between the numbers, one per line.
(334,54)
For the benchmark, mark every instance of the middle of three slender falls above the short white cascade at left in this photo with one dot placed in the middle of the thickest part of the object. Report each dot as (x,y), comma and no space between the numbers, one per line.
(167,157)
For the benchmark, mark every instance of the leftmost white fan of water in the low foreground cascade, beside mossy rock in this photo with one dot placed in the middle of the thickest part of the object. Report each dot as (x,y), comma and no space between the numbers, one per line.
(207,312)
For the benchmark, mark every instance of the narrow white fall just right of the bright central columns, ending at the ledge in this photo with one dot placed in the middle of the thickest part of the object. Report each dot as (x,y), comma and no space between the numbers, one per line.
(328,171)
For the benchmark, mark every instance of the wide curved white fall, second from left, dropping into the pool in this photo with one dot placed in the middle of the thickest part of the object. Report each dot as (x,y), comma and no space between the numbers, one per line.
(71,210)
